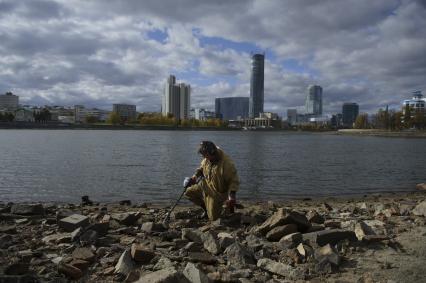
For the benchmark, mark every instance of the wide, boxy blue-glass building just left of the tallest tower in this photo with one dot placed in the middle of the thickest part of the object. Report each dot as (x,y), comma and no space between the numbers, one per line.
(232,108)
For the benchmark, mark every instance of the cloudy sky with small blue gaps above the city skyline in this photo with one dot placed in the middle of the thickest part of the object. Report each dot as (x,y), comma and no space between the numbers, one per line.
(101,52)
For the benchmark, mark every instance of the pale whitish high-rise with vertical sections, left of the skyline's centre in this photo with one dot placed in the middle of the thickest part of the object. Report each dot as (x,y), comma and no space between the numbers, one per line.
(176,99)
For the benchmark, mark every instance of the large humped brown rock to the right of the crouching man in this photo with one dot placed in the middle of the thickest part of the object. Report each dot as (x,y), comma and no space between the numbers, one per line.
(282,217)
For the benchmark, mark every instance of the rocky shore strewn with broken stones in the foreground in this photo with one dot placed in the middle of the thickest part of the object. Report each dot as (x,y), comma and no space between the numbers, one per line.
(366,239)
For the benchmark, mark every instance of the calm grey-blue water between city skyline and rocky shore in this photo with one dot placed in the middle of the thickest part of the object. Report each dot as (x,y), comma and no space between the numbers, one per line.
(63,165)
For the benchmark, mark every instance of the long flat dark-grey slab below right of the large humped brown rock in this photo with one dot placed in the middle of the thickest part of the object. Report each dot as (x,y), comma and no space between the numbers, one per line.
(332,236)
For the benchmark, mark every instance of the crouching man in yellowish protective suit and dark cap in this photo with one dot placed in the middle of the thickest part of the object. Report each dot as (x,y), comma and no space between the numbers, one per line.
(219,183)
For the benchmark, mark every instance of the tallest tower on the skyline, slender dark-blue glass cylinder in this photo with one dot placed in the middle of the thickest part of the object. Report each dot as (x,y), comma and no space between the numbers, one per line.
(256,85)
